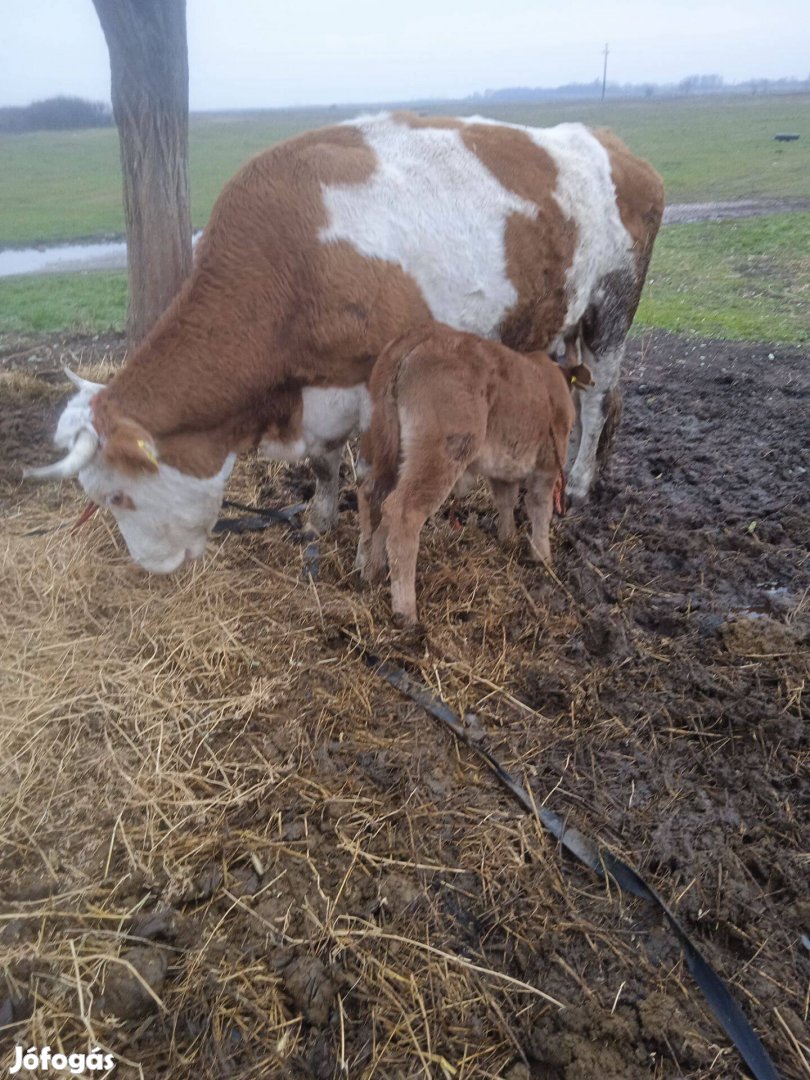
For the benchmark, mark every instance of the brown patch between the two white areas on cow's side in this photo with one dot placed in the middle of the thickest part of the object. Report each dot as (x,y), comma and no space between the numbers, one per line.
(539,250)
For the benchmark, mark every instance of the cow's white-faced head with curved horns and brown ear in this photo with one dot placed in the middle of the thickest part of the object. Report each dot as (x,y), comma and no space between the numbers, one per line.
(165,515)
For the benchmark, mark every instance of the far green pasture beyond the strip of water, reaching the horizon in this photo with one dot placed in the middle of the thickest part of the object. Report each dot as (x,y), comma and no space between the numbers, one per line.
(67,185)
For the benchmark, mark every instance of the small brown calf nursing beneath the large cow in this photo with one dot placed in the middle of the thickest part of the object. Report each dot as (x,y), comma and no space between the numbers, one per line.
(445,403)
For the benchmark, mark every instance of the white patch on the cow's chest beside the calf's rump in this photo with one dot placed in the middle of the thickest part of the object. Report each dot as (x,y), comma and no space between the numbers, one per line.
(331,415)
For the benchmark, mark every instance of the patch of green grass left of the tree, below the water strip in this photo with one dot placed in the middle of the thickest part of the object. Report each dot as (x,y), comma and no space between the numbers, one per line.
(70,303)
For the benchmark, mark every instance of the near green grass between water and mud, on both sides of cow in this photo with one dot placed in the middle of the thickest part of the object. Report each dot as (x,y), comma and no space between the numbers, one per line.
(738,280)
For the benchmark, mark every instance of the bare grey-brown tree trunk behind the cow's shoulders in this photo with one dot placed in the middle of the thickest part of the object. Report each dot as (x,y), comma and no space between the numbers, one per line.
(150,70)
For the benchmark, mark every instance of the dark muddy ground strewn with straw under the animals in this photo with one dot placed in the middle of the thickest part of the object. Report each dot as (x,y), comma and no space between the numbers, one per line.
(322,884)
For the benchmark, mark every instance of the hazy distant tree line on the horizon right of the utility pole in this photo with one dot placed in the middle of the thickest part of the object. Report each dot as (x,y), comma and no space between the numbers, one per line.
(693,85)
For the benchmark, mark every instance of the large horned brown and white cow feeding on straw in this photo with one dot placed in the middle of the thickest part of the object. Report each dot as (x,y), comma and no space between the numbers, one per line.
(319,253)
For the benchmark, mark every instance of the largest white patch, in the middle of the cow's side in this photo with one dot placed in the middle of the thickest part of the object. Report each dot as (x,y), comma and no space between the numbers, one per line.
(434,209)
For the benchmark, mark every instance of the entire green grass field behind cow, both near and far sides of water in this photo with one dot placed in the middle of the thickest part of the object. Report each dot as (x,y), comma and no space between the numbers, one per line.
(745,280)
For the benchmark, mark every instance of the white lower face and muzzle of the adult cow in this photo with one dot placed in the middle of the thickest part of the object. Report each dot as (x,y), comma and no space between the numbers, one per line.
(173,512)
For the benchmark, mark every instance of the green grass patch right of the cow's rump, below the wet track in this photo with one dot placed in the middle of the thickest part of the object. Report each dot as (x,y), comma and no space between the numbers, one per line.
(745,280)
